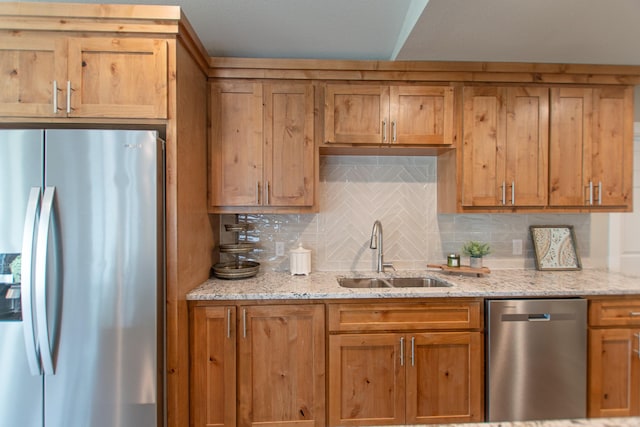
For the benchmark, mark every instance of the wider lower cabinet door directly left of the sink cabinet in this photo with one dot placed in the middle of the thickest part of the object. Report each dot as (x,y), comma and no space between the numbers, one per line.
(281,366)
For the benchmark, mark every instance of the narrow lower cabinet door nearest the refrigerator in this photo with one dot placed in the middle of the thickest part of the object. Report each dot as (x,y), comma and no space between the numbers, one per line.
(213,367)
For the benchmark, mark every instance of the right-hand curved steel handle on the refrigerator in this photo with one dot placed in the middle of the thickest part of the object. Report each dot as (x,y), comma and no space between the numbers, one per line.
(41,281)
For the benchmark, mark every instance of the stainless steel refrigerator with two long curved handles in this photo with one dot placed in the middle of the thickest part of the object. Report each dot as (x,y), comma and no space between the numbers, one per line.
(81,278)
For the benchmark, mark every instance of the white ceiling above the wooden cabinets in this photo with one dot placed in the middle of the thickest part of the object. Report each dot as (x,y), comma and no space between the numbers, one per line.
(565,31)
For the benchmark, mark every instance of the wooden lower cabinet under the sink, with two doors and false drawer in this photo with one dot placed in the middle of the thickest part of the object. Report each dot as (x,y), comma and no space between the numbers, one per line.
(406,376)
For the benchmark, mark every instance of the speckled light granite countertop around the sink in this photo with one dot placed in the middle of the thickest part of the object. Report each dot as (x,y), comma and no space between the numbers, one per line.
(497,284)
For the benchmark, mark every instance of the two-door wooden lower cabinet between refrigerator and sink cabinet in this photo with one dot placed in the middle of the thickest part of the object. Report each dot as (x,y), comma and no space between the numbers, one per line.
(264,366)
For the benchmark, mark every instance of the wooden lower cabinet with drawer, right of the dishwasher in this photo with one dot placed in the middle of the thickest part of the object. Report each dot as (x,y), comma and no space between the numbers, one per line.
(614,358)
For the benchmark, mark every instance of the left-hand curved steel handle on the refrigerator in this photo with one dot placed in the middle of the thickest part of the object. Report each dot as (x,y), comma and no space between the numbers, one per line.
(31,217)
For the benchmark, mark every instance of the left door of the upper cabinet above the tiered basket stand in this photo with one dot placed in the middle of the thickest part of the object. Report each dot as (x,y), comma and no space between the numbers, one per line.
(236,144)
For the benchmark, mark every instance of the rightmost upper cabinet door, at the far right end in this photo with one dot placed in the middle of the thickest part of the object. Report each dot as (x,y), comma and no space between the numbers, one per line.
(611,164)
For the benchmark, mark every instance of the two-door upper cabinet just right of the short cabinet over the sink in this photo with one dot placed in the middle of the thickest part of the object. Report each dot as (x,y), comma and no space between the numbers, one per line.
(505,146)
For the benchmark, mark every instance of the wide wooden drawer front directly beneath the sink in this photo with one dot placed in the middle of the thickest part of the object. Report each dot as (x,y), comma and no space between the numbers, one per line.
(464,314)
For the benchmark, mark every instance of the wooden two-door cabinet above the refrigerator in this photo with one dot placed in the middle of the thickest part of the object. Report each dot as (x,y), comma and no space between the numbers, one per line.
(60,76)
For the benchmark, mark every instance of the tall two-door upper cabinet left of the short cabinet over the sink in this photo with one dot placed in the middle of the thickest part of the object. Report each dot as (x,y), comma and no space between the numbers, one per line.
(263,152)
